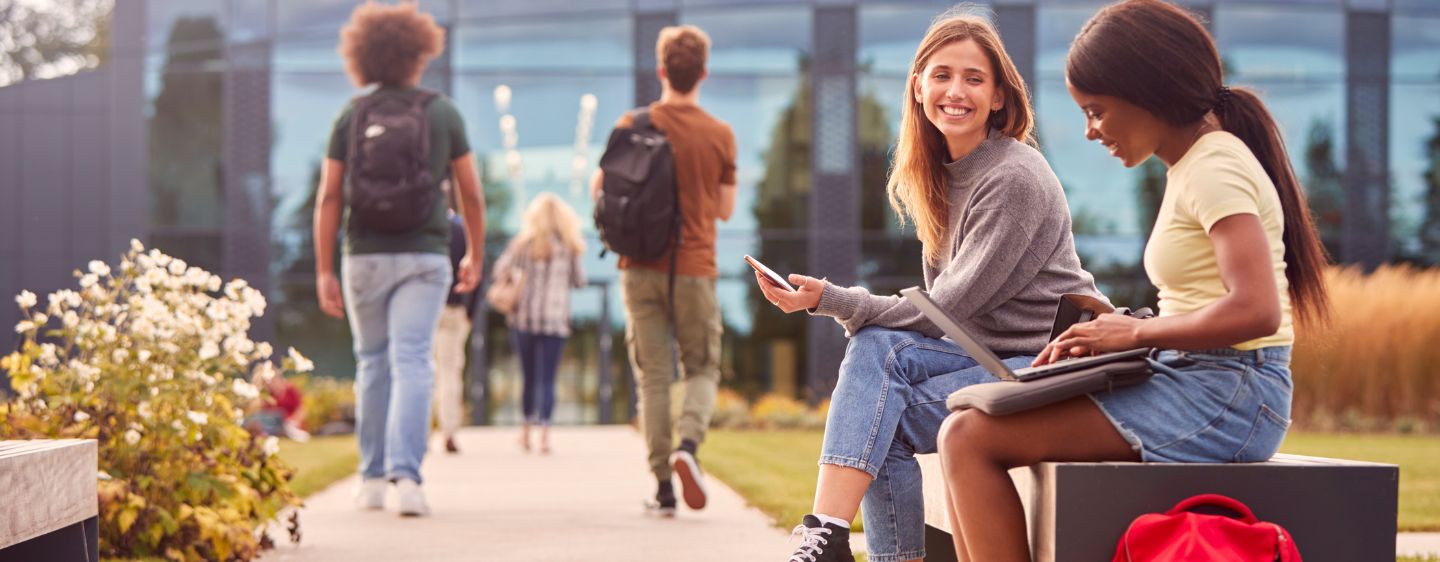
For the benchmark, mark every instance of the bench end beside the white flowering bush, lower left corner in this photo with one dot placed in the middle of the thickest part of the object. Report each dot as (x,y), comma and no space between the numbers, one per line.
(48,501)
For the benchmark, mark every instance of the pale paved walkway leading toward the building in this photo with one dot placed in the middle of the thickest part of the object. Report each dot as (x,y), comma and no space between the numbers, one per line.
(495,502)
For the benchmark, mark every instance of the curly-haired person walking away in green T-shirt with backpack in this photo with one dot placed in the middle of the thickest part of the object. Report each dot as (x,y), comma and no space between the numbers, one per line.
(381,184)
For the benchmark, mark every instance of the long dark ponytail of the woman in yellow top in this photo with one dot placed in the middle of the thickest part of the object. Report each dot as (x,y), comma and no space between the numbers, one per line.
(1243,115)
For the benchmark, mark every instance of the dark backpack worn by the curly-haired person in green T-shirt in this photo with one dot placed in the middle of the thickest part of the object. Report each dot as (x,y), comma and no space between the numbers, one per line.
(391,185)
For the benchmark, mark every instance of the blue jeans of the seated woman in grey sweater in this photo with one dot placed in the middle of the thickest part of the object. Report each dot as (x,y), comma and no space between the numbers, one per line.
(888,407)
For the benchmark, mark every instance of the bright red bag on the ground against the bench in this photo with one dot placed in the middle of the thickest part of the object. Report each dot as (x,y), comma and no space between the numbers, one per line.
(1180,535)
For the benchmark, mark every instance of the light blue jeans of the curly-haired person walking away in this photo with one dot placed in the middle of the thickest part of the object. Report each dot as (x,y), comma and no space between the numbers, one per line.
(394,303)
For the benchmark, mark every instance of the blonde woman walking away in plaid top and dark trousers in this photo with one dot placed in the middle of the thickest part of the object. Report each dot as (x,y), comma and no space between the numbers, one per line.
(546,254)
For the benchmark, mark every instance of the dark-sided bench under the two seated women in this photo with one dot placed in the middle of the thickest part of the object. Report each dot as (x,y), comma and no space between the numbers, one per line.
(1336,509)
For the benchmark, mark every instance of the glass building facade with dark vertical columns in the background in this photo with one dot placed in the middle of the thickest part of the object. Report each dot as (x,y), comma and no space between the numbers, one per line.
(240,97)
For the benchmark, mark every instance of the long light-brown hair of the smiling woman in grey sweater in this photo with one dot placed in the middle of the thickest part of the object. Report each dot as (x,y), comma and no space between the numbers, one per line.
(918,185)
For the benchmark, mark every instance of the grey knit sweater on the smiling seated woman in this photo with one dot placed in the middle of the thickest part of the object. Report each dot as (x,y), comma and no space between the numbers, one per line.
(1007,260)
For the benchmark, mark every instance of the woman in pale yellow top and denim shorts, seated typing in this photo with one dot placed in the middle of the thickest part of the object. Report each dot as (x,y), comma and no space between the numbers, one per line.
(1235,256)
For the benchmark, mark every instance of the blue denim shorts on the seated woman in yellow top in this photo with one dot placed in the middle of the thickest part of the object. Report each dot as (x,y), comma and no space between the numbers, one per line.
(1220,406)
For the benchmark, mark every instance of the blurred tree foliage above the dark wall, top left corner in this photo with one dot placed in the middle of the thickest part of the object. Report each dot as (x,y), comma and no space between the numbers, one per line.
(53,40)
